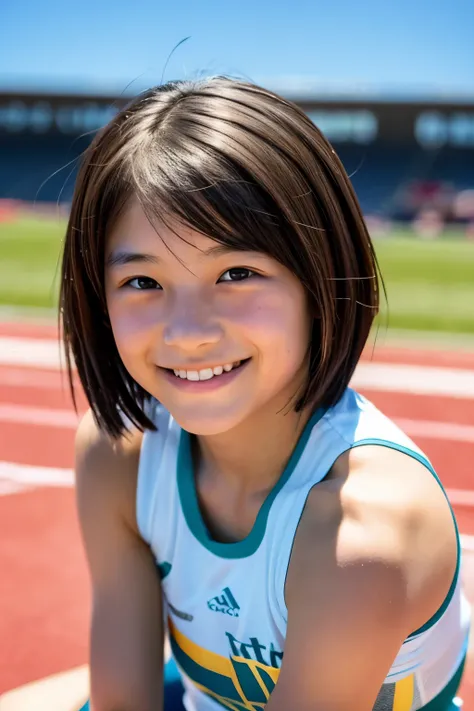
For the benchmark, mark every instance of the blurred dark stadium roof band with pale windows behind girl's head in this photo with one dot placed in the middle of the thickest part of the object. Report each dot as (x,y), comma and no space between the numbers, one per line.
(357,114)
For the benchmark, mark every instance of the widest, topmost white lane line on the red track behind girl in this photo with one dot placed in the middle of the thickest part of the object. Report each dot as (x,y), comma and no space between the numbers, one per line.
(450,382)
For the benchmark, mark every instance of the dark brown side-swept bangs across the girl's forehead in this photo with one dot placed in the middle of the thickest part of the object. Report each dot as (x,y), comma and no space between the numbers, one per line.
(203,189)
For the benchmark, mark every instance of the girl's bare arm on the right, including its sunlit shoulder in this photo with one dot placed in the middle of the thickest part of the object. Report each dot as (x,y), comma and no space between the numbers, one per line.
(362,577)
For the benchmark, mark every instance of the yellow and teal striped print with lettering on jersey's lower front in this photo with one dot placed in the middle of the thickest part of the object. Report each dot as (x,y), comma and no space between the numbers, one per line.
(243,680)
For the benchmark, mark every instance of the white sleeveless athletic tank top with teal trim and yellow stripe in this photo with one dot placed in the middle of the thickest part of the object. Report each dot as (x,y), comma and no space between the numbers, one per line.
(224,602)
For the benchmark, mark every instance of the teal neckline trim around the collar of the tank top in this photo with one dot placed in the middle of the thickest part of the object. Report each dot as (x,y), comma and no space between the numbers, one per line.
(190,505)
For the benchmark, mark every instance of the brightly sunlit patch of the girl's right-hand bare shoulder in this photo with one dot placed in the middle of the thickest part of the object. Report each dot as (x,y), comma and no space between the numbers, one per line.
(398,496)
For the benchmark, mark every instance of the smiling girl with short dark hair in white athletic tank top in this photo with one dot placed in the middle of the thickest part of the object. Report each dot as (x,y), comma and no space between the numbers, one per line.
(298,550)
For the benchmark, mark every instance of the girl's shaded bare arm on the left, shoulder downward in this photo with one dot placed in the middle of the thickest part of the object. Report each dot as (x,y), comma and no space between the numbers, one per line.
(127,626)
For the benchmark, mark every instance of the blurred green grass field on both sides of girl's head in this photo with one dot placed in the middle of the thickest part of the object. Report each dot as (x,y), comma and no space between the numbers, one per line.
(430,284)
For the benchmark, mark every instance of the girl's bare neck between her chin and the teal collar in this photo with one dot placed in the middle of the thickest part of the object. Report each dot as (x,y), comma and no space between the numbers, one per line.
(252,456)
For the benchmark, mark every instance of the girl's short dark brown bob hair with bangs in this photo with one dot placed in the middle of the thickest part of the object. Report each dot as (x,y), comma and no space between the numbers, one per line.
(246,168)
